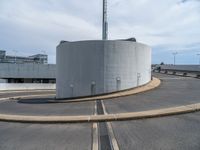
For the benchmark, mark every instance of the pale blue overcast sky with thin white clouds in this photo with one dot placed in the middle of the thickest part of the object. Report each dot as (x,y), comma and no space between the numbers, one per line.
(35,26)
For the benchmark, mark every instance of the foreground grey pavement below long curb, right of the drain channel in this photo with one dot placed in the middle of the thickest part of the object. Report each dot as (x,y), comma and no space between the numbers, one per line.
(180,132)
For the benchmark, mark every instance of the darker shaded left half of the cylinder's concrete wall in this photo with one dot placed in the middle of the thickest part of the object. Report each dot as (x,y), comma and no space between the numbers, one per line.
(78,65)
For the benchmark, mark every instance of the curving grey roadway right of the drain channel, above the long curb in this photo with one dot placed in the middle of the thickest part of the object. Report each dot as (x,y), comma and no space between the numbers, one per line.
(173,91)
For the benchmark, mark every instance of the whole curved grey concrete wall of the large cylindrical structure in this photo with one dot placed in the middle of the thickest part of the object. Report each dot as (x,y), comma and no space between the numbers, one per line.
(96,67)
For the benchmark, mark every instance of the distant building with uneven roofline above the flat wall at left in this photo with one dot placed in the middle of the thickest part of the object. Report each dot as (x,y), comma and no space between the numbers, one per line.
(37,59)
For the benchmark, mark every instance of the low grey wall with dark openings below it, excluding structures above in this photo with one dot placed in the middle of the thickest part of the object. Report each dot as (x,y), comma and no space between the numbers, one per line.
(27,73)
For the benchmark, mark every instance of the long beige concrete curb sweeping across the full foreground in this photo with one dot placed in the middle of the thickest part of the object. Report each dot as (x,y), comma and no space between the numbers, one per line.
(100,118)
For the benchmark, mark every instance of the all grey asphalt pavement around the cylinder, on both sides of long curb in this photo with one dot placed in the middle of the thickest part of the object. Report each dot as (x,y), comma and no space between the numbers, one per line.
(179,132)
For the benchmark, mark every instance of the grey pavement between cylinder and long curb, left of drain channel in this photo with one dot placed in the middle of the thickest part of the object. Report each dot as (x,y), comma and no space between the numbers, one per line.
(40,107)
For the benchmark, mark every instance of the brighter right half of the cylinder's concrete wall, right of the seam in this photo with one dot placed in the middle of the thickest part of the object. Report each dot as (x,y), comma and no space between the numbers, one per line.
(127,61)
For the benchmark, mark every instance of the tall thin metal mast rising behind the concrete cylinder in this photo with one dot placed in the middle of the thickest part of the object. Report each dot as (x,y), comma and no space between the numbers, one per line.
(105,23)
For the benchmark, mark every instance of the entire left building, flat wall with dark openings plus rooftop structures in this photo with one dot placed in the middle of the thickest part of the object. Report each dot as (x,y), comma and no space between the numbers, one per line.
(31,69)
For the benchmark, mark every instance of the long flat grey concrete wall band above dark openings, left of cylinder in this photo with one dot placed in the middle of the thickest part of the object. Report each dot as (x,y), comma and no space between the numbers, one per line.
(8,70)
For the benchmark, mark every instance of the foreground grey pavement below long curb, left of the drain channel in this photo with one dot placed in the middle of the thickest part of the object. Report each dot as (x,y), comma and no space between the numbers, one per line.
(15,136)
